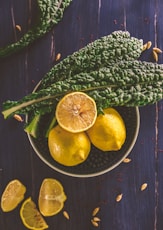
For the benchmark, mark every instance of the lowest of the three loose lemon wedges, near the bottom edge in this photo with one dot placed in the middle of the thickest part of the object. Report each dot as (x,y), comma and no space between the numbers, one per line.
(31,217)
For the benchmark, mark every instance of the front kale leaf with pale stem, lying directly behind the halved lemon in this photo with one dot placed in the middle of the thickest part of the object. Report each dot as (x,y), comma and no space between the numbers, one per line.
(129,83)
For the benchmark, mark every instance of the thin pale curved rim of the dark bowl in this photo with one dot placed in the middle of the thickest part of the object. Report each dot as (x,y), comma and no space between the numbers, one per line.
(96,173)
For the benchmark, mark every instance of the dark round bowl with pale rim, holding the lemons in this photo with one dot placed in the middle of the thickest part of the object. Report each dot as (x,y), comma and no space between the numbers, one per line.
(98,162)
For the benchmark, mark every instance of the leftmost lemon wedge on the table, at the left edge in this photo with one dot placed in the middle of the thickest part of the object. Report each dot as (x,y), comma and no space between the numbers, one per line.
(12,195)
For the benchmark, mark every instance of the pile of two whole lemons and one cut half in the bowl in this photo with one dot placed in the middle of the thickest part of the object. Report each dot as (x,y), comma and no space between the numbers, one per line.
(79,126)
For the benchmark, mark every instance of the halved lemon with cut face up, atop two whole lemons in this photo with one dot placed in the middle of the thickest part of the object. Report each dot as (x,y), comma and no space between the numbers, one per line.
(76,112)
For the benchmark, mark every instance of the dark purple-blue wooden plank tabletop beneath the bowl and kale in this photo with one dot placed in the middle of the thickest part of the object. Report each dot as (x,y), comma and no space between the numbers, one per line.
(83,22)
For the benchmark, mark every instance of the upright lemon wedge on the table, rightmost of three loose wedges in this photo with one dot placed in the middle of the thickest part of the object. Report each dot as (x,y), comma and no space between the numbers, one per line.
(51,197)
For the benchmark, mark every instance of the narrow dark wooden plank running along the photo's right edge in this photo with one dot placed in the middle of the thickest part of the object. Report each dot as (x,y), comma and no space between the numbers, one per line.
(159,128)
